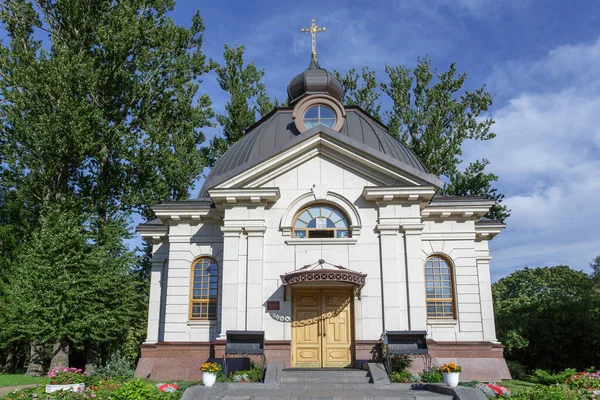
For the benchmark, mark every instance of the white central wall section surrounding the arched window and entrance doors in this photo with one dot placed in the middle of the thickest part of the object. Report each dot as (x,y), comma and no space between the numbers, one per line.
(362,256)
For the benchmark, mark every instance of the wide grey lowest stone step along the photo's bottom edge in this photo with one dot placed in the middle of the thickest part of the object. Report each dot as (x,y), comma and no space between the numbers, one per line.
(220,391)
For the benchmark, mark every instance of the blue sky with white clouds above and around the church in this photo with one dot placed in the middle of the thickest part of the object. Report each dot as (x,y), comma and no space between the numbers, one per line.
(539,59)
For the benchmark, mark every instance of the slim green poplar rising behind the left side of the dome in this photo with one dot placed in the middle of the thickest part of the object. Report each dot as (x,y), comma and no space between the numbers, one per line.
(247,100)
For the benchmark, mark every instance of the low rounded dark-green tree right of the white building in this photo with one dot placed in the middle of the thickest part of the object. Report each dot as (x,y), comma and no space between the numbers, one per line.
(548,318)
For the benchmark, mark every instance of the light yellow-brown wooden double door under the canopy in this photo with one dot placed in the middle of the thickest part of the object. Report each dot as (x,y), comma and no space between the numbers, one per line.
(322,328)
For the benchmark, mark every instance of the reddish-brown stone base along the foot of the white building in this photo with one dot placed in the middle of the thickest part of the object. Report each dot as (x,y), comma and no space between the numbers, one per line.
(165,361)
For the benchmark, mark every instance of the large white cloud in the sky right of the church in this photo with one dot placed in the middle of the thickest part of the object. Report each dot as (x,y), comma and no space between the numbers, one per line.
(547,154)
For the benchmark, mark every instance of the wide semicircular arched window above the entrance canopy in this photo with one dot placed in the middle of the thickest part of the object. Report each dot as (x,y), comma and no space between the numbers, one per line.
(319,221)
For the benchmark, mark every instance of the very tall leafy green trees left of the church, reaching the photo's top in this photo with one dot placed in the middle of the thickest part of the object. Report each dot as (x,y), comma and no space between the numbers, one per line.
(101,123)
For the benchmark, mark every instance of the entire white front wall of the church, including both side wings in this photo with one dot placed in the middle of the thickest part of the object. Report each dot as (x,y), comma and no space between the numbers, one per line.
(252,251)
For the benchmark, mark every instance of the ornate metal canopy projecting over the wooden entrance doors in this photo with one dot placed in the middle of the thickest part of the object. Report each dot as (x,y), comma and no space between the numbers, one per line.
(324,272)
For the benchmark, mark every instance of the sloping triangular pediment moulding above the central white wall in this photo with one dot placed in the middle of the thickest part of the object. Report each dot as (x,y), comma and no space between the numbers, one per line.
(321,141)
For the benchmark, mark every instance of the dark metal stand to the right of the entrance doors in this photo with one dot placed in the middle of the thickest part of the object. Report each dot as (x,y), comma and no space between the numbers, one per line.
(405,342)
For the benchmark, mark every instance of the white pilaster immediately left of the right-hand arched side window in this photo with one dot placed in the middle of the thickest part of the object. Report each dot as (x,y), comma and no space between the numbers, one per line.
(415,276)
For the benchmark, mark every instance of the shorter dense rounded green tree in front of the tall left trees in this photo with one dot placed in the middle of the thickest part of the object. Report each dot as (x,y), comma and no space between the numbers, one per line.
(79,291)
